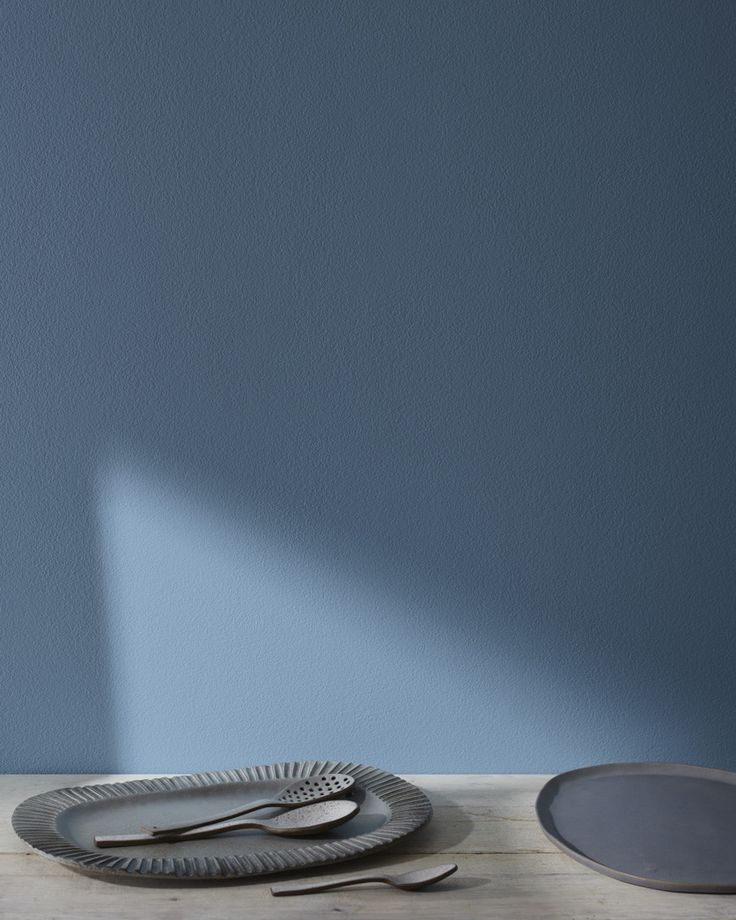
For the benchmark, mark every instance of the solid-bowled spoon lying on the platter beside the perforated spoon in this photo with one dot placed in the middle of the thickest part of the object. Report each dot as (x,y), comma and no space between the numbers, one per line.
(310,819)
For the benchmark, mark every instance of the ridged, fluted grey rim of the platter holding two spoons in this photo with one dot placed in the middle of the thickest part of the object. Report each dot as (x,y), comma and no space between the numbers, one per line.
(35,821)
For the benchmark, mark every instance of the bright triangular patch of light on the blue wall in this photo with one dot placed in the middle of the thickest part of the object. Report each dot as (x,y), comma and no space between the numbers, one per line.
(234,639)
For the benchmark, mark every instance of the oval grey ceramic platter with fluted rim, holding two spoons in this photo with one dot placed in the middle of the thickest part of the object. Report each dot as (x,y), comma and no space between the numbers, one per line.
(62,824)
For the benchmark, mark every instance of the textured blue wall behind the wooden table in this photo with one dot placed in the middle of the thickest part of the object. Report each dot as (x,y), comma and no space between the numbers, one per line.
(367,384)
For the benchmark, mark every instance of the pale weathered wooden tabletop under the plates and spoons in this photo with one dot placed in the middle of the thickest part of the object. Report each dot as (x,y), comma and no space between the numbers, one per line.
(486,824)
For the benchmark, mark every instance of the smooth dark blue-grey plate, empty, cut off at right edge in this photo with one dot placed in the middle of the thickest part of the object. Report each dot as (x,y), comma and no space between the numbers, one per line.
(661,825)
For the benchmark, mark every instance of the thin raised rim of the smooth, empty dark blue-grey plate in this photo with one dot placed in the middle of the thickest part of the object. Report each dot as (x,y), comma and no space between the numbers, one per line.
(619,768)
